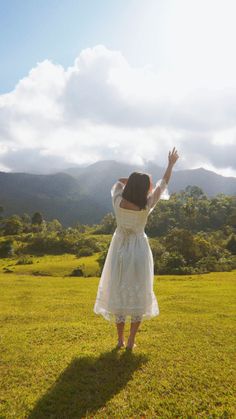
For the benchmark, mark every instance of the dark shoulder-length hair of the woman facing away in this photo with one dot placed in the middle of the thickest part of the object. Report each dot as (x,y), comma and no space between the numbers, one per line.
(137,188)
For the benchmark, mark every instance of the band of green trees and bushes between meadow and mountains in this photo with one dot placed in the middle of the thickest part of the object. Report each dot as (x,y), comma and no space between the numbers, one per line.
(188,234)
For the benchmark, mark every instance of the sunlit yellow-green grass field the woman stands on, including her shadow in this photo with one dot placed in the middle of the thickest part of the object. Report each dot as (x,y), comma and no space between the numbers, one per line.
(58,358)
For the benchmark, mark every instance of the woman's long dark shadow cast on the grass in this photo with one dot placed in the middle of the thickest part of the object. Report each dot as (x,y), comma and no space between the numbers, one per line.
(87,384)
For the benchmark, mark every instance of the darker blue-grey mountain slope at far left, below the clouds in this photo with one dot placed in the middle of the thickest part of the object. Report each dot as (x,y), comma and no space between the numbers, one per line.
(56,196)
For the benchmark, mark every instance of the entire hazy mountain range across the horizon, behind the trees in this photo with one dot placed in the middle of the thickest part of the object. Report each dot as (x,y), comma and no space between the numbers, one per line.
(83,194)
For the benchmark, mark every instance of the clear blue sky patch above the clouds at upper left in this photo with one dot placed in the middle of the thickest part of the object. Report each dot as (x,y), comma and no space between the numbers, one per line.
(33,30)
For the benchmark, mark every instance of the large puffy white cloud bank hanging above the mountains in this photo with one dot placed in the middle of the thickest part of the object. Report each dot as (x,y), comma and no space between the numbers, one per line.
(102,108)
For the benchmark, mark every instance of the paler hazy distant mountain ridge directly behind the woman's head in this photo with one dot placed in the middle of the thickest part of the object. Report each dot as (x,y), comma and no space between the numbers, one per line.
(96,178)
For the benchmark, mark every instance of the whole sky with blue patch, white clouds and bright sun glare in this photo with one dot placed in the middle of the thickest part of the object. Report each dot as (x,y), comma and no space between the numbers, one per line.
(127,80)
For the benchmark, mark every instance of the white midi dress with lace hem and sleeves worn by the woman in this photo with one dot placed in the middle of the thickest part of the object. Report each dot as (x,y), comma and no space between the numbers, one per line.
(126,284)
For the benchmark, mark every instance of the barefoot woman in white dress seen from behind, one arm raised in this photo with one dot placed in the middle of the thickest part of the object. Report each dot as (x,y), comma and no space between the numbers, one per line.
(126,284)
